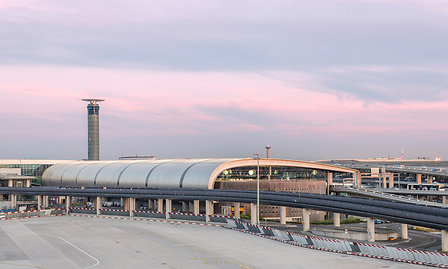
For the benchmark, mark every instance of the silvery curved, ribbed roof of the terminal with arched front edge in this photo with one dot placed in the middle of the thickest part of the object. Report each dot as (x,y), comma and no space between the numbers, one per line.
(172,173)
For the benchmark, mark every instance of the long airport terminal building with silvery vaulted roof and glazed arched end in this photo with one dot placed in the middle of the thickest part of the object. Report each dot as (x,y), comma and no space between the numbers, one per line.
(239,174)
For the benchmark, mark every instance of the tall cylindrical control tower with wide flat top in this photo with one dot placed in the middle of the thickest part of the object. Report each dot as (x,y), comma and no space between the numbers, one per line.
(93,129)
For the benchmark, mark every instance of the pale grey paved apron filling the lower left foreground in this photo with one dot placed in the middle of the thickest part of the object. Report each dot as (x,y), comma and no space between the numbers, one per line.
(79,242)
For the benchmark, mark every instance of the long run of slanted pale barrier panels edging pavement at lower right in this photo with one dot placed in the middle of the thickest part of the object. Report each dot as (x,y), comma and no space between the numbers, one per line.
(412,256)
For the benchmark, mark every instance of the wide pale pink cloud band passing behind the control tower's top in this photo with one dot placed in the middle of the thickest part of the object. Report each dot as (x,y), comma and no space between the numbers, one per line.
(174,102)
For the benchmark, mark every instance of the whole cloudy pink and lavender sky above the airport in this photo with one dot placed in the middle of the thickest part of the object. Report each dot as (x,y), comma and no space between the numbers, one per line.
(317,79)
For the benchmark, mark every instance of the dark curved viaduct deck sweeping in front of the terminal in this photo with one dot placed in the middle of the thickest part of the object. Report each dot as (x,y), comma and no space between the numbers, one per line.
(426,216)
